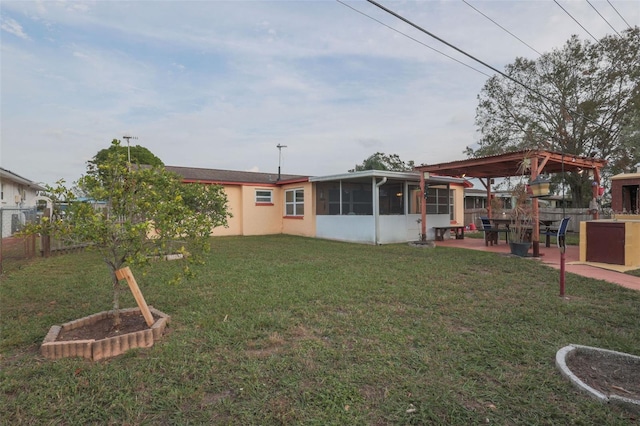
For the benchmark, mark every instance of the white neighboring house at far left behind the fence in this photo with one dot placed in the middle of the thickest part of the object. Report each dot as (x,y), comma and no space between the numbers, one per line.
(17,201)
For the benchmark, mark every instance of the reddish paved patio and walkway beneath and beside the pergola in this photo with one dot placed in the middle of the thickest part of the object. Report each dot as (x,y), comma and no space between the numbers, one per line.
(551,256)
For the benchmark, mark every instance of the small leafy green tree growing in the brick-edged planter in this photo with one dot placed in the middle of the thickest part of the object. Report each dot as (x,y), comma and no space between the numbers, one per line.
(148,213)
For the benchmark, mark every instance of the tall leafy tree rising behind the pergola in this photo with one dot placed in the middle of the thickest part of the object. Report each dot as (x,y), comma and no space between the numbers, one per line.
(582,99)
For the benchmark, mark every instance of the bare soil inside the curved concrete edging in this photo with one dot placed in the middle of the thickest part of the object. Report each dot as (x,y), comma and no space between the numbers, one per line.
(610,375)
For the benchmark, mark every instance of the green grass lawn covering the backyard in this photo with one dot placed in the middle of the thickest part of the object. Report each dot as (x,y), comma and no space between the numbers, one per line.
(290,330)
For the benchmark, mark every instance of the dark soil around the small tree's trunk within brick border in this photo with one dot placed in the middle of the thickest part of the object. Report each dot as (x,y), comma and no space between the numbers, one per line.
(102,329)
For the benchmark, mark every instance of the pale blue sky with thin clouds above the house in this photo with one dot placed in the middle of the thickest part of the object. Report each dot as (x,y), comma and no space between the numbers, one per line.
(219,84)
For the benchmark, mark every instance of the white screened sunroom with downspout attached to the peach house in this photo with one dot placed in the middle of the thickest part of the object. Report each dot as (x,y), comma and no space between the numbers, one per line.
(382,207)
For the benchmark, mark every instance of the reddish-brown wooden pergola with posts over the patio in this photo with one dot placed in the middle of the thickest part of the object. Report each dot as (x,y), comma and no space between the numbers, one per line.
(511,164)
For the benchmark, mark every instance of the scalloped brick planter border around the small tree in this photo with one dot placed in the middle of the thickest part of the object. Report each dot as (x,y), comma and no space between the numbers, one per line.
(104,348)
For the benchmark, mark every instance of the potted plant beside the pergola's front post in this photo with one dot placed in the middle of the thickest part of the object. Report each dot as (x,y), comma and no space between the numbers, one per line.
(521,221)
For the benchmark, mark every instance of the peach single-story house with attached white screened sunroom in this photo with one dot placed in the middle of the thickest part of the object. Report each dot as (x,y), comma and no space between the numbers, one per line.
(372,206)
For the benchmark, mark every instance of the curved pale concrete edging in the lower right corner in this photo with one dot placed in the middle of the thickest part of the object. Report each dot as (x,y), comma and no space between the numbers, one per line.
(561,363)
